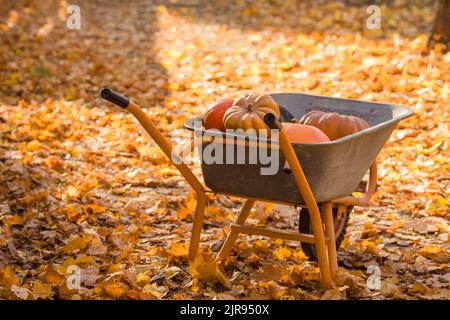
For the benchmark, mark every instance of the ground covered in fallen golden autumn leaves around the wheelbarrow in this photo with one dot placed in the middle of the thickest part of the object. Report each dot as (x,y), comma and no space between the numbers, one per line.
(82,185)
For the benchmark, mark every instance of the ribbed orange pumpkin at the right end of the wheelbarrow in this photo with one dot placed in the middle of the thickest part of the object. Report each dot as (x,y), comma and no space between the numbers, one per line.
(333,124)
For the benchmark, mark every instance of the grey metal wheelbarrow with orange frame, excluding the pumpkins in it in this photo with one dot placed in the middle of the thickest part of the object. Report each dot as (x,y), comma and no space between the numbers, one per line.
(320,178)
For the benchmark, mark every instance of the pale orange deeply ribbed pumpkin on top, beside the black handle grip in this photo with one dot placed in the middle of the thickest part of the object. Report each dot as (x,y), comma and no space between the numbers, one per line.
(248,112)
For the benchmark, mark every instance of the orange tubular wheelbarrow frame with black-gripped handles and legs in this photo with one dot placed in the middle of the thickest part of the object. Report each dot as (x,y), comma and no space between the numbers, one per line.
(323,231)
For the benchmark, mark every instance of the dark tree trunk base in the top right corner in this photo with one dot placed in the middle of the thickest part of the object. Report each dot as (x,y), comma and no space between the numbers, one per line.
(441,27)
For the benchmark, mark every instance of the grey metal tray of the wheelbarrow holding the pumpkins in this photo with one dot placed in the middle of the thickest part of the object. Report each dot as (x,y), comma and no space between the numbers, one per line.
(333,169)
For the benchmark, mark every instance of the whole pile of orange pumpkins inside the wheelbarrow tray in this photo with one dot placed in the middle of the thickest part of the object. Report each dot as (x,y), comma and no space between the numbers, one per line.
(248,112)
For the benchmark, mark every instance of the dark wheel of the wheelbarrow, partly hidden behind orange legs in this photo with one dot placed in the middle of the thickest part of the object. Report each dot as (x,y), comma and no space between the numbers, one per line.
(340,226)
